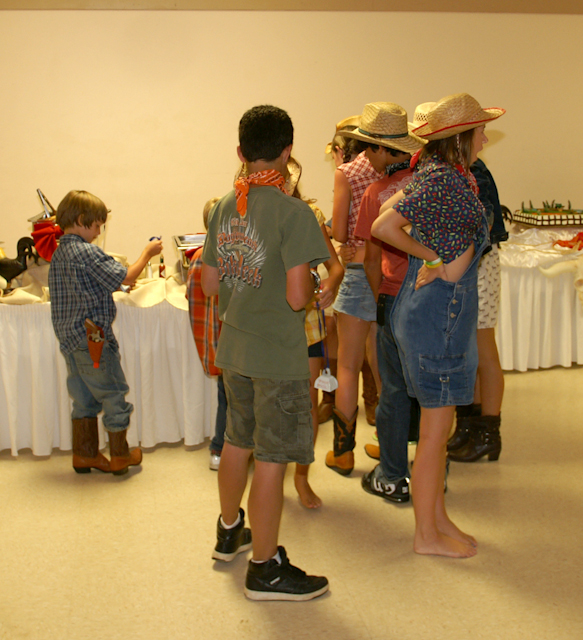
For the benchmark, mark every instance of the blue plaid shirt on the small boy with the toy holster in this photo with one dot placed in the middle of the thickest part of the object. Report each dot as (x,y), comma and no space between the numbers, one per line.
(82,279)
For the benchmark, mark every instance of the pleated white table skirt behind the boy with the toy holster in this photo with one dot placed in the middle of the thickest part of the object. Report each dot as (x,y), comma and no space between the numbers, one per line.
(172,397)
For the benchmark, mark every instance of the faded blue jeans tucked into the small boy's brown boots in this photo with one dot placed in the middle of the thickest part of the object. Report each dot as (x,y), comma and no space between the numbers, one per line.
(95,390)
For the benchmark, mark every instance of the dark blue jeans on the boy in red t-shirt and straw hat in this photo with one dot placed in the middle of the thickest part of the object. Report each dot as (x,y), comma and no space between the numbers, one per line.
(396,411)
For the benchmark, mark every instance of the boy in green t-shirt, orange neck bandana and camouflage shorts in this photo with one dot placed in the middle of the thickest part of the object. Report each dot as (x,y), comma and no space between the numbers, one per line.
(258,253)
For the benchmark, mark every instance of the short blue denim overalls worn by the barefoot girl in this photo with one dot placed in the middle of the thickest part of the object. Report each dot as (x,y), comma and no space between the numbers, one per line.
(435,330)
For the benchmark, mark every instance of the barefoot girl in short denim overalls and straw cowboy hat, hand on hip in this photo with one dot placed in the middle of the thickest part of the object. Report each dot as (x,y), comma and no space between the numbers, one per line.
(434,318)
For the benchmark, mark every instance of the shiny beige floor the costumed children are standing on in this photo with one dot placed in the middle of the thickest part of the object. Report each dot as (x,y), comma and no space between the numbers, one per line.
(96,556)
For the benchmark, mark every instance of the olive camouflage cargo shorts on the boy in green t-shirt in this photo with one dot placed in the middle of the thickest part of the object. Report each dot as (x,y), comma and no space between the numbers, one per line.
(272,417)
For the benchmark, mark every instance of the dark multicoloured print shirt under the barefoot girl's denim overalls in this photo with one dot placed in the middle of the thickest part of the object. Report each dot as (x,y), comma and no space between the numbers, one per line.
(441,205)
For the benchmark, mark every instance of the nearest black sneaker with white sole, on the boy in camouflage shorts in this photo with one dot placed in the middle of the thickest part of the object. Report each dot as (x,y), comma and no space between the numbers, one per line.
(273,581)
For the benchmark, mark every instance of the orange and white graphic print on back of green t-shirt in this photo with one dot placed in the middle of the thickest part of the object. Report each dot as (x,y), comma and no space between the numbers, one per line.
(240,253)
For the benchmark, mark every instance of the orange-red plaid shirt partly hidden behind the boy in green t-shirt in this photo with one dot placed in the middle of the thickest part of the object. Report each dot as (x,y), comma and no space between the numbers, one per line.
(204,316)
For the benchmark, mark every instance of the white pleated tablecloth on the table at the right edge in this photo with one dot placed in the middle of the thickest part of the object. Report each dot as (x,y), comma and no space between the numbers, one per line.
(541,318)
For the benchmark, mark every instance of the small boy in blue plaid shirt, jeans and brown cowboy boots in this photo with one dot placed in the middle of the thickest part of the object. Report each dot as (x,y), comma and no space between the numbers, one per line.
(82,279)
